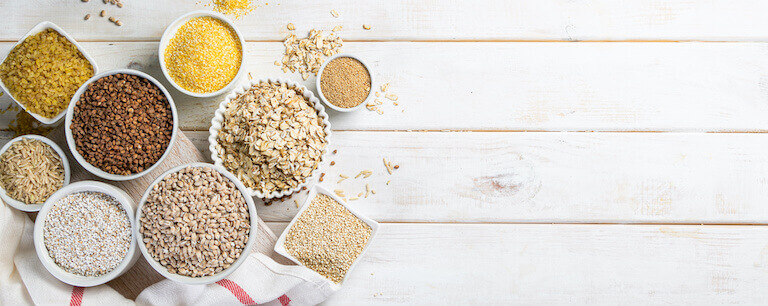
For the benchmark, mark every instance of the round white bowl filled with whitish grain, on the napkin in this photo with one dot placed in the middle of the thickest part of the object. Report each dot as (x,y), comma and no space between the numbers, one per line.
(83,234)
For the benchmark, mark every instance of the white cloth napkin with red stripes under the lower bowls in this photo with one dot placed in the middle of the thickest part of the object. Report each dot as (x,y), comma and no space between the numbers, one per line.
(259,280)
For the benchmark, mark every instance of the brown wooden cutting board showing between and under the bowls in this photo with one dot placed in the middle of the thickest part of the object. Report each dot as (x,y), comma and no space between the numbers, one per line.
(141,275)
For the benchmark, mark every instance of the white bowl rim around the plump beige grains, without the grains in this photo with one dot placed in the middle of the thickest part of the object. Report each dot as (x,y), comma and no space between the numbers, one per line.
(205,279)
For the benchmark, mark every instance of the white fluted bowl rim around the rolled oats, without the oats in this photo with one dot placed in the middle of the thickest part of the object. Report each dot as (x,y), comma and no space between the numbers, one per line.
(218,120)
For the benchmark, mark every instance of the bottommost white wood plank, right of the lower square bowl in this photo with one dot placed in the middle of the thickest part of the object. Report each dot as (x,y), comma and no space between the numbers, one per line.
(504,264)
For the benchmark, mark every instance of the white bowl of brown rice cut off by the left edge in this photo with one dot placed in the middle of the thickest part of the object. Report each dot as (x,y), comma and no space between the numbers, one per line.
(32,168)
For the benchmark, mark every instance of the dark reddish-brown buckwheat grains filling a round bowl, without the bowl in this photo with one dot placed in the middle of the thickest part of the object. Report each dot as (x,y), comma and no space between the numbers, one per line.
(122,124)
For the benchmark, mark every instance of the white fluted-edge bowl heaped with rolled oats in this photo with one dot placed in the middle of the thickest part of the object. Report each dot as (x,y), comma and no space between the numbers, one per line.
(272,134)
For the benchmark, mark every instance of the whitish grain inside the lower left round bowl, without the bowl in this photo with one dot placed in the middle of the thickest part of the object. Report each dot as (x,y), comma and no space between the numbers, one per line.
(87,233)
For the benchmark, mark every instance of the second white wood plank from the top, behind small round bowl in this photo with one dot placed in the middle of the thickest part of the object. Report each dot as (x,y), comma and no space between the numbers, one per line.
(524,86)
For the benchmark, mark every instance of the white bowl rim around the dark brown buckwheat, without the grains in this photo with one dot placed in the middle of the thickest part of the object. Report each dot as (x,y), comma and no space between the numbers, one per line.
(71,140)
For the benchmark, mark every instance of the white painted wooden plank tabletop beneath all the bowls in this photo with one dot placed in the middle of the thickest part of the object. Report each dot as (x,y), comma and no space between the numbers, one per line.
(551,151)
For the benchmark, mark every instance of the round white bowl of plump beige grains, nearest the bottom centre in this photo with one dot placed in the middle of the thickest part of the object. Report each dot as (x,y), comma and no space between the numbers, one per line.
(196,224)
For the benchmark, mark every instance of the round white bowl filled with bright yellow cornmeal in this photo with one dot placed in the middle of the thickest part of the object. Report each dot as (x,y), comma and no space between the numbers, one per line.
(201,54)
